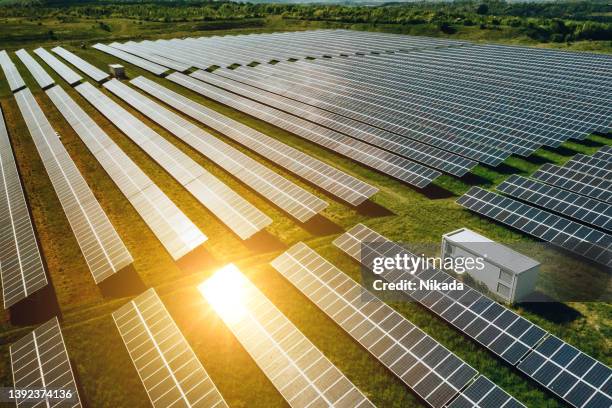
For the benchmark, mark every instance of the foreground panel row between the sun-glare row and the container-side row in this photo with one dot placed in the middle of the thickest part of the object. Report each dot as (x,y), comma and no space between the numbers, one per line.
(427,367)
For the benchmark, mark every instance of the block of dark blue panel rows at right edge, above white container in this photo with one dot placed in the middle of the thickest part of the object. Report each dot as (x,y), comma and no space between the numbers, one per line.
(555,203)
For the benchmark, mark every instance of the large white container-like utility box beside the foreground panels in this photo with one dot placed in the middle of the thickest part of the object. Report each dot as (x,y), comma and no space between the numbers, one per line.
(509,274)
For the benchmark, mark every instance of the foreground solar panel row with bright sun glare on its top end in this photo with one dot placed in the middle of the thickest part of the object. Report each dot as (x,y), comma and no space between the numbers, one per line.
(296,367)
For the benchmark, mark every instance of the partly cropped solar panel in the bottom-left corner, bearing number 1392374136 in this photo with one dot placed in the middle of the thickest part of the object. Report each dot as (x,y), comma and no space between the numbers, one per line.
(40,361)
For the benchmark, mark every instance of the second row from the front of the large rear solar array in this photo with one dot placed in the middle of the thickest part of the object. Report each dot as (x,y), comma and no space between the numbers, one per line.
(394,143)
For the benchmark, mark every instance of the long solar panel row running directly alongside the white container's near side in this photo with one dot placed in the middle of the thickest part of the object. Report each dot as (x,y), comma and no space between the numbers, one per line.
(569,373)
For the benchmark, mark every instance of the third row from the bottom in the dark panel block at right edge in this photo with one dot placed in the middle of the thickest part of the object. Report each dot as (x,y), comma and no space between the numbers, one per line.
(575,181)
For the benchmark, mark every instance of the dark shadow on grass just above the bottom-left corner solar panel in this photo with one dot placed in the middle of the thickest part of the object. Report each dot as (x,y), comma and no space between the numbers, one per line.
(37,308)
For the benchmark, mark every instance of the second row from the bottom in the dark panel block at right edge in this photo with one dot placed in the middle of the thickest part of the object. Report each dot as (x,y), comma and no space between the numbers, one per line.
(573,205)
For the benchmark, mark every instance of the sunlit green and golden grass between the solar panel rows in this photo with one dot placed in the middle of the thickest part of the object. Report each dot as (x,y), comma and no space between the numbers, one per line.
(105,372)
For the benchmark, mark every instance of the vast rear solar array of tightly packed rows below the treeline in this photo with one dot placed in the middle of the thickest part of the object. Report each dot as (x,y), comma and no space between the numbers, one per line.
(415,88)
